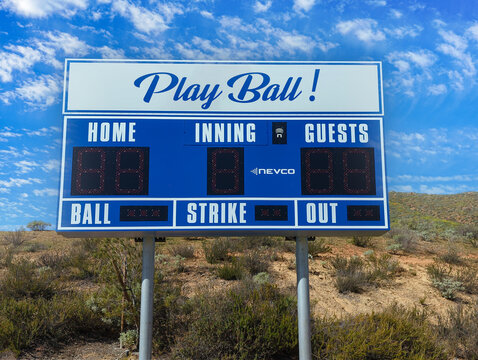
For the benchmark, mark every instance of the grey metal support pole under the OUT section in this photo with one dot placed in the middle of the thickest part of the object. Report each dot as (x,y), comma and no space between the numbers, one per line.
(303,303)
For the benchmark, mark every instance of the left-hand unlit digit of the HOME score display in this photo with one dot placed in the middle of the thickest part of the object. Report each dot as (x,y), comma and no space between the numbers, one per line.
(90,171)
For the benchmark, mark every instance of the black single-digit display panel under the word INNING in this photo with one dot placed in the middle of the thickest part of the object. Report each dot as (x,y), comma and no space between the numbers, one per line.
(225,171)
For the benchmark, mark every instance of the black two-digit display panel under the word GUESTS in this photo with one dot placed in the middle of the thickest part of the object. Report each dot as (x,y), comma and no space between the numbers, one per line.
(338,171)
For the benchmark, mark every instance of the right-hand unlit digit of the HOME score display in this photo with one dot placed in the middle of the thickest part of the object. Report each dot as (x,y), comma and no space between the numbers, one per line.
(129,172)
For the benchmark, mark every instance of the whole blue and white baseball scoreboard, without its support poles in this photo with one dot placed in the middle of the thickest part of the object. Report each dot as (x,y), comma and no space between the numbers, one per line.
(222,148)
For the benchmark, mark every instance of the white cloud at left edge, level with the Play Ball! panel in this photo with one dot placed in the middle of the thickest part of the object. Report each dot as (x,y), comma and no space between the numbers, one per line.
(38,93)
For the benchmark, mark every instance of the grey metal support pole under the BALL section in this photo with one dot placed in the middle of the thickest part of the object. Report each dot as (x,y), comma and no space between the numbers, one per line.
(146,320)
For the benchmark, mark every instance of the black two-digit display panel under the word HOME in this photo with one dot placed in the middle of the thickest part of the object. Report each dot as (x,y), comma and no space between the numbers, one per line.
(110,171)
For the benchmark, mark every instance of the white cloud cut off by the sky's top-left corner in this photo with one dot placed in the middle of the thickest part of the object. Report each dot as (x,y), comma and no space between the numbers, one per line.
(44,8)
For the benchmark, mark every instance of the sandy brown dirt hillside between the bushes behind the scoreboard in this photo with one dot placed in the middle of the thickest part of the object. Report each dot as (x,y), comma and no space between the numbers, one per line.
(402,266)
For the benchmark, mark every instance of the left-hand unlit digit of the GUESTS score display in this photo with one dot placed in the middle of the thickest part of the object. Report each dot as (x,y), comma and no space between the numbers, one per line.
(318,166)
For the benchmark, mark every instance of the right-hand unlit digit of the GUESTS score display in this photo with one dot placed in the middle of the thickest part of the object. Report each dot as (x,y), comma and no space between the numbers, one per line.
(357,171)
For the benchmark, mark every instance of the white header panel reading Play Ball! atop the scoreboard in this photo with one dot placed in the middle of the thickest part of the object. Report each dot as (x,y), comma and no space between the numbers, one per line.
(242,88)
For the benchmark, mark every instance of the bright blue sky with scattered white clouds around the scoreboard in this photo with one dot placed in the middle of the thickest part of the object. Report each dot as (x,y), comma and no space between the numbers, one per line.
(429,51)
